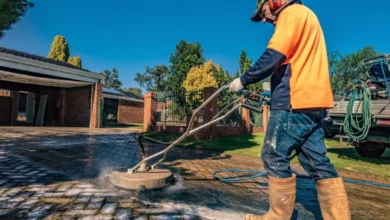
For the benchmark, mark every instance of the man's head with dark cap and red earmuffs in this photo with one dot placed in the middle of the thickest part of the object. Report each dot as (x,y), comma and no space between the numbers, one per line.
(267,10)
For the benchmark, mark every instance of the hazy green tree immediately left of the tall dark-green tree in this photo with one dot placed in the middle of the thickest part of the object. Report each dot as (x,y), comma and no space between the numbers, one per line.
(153,79)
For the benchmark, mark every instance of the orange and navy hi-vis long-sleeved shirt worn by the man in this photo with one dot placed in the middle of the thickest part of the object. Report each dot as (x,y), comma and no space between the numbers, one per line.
(296,57)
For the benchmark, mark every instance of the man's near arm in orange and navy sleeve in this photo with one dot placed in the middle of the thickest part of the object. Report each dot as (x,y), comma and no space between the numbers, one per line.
(279,50)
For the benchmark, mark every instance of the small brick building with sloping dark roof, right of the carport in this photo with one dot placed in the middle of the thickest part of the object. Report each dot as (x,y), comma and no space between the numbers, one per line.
(122,108)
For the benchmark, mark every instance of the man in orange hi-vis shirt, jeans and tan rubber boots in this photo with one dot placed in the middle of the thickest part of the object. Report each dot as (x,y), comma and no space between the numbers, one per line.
(296,57)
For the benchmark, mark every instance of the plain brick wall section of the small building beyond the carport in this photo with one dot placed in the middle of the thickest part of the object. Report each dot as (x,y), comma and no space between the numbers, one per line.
(130,112)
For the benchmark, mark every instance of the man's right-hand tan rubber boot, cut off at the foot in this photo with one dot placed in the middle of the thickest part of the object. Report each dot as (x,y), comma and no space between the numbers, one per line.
(333,199)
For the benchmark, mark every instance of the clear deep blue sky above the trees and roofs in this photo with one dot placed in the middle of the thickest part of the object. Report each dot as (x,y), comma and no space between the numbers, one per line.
(130,34)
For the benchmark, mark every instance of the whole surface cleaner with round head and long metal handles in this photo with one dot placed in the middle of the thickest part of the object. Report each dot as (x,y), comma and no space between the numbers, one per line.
(149,177)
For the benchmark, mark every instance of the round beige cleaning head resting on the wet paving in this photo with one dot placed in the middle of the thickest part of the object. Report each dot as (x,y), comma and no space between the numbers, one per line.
(151,179)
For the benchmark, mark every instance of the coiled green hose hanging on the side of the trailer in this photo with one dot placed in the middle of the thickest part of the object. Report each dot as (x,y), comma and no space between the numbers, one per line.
(356,127)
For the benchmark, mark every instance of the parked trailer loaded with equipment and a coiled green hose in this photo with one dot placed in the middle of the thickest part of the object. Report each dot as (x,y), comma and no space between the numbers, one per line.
(364,115)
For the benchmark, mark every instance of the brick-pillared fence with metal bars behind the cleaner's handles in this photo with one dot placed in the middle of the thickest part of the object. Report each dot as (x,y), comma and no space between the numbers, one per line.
(170,114)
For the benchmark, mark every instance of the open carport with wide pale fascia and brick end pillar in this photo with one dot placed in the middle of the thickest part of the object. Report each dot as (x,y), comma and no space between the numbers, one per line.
(37,91)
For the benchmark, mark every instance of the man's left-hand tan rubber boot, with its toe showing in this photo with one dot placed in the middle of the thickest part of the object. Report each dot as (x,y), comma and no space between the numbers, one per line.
(282,193)
